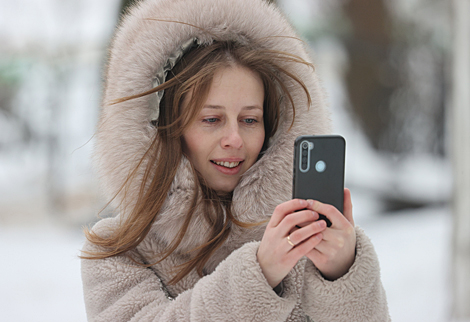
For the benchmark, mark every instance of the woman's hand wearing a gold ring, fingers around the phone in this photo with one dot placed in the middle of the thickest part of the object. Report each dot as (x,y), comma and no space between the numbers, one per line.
(276,255)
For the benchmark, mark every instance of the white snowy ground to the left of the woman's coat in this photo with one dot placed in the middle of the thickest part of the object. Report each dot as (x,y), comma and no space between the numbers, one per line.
(40,274)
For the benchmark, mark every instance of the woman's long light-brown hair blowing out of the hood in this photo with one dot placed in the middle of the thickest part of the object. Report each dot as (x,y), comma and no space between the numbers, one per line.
(195,72)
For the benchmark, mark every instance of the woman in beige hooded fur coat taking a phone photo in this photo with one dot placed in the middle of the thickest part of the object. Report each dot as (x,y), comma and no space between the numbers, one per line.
(202,106)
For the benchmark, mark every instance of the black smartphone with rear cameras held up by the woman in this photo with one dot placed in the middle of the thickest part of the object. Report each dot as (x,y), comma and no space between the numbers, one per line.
(319,169)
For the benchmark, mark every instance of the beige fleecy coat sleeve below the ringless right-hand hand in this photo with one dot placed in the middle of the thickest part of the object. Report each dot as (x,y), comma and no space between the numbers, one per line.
(356,296)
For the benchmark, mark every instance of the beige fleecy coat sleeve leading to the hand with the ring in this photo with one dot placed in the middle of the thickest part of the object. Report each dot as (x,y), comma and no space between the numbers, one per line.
(117,289)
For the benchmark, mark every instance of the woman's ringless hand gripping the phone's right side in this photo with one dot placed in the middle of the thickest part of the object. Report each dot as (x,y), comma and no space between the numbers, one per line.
(335,253)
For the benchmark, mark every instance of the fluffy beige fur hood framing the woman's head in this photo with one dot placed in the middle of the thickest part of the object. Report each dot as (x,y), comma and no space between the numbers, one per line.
(151,32)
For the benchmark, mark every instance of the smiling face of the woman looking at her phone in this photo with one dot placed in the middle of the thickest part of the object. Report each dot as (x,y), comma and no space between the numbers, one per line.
(227,136)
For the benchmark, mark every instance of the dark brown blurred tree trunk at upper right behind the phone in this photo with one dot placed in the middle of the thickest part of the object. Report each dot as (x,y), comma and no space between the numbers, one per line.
(370,79)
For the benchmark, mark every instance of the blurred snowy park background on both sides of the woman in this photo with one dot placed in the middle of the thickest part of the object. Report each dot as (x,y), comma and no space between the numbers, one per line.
(387,69)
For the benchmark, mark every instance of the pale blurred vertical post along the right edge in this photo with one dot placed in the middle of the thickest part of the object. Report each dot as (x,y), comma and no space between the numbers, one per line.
(461,161)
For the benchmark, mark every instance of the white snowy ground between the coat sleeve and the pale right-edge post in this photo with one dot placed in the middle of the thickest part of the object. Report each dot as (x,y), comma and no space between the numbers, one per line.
(414,249)
